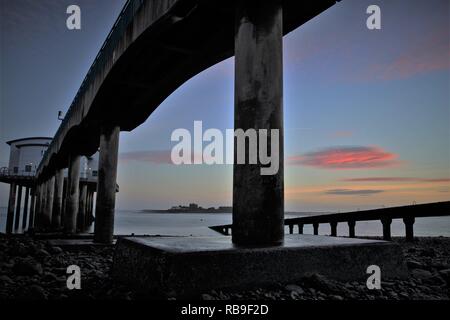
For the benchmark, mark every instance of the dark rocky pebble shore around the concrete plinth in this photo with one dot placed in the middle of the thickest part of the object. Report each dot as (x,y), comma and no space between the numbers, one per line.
(34,269)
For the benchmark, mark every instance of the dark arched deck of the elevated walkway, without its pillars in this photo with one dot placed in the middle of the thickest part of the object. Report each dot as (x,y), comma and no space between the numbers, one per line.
(155,46)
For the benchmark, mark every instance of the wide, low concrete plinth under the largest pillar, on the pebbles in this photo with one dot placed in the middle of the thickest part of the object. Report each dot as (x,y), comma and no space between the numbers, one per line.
(181,266)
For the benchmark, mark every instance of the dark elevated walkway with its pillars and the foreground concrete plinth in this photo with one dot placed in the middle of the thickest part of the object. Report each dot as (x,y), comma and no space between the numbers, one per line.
(153,48)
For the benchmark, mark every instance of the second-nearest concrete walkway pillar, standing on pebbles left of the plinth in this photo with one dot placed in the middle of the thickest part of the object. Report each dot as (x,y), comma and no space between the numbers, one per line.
(106,184)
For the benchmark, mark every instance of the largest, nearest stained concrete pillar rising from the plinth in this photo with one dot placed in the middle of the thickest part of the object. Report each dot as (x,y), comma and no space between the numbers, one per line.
(258,200)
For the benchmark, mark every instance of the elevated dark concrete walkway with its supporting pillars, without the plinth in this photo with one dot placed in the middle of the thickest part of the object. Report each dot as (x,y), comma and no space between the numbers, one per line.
(154,47)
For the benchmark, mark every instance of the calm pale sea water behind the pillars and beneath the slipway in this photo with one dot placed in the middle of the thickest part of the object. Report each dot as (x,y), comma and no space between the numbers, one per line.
(196,224)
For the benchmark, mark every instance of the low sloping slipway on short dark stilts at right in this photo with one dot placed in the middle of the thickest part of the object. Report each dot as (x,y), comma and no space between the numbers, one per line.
(385,215)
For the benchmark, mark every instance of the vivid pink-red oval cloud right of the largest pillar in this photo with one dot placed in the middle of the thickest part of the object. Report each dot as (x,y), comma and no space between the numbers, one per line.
(347,157)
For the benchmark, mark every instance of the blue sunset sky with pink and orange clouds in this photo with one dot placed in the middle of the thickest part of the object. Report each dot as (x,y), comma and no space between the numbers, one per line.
(367,112)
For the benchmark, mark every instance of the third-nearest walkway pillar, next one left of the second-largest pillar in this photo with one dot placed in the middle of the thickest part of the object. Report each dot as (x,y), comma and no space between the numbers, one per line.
(72,198)
